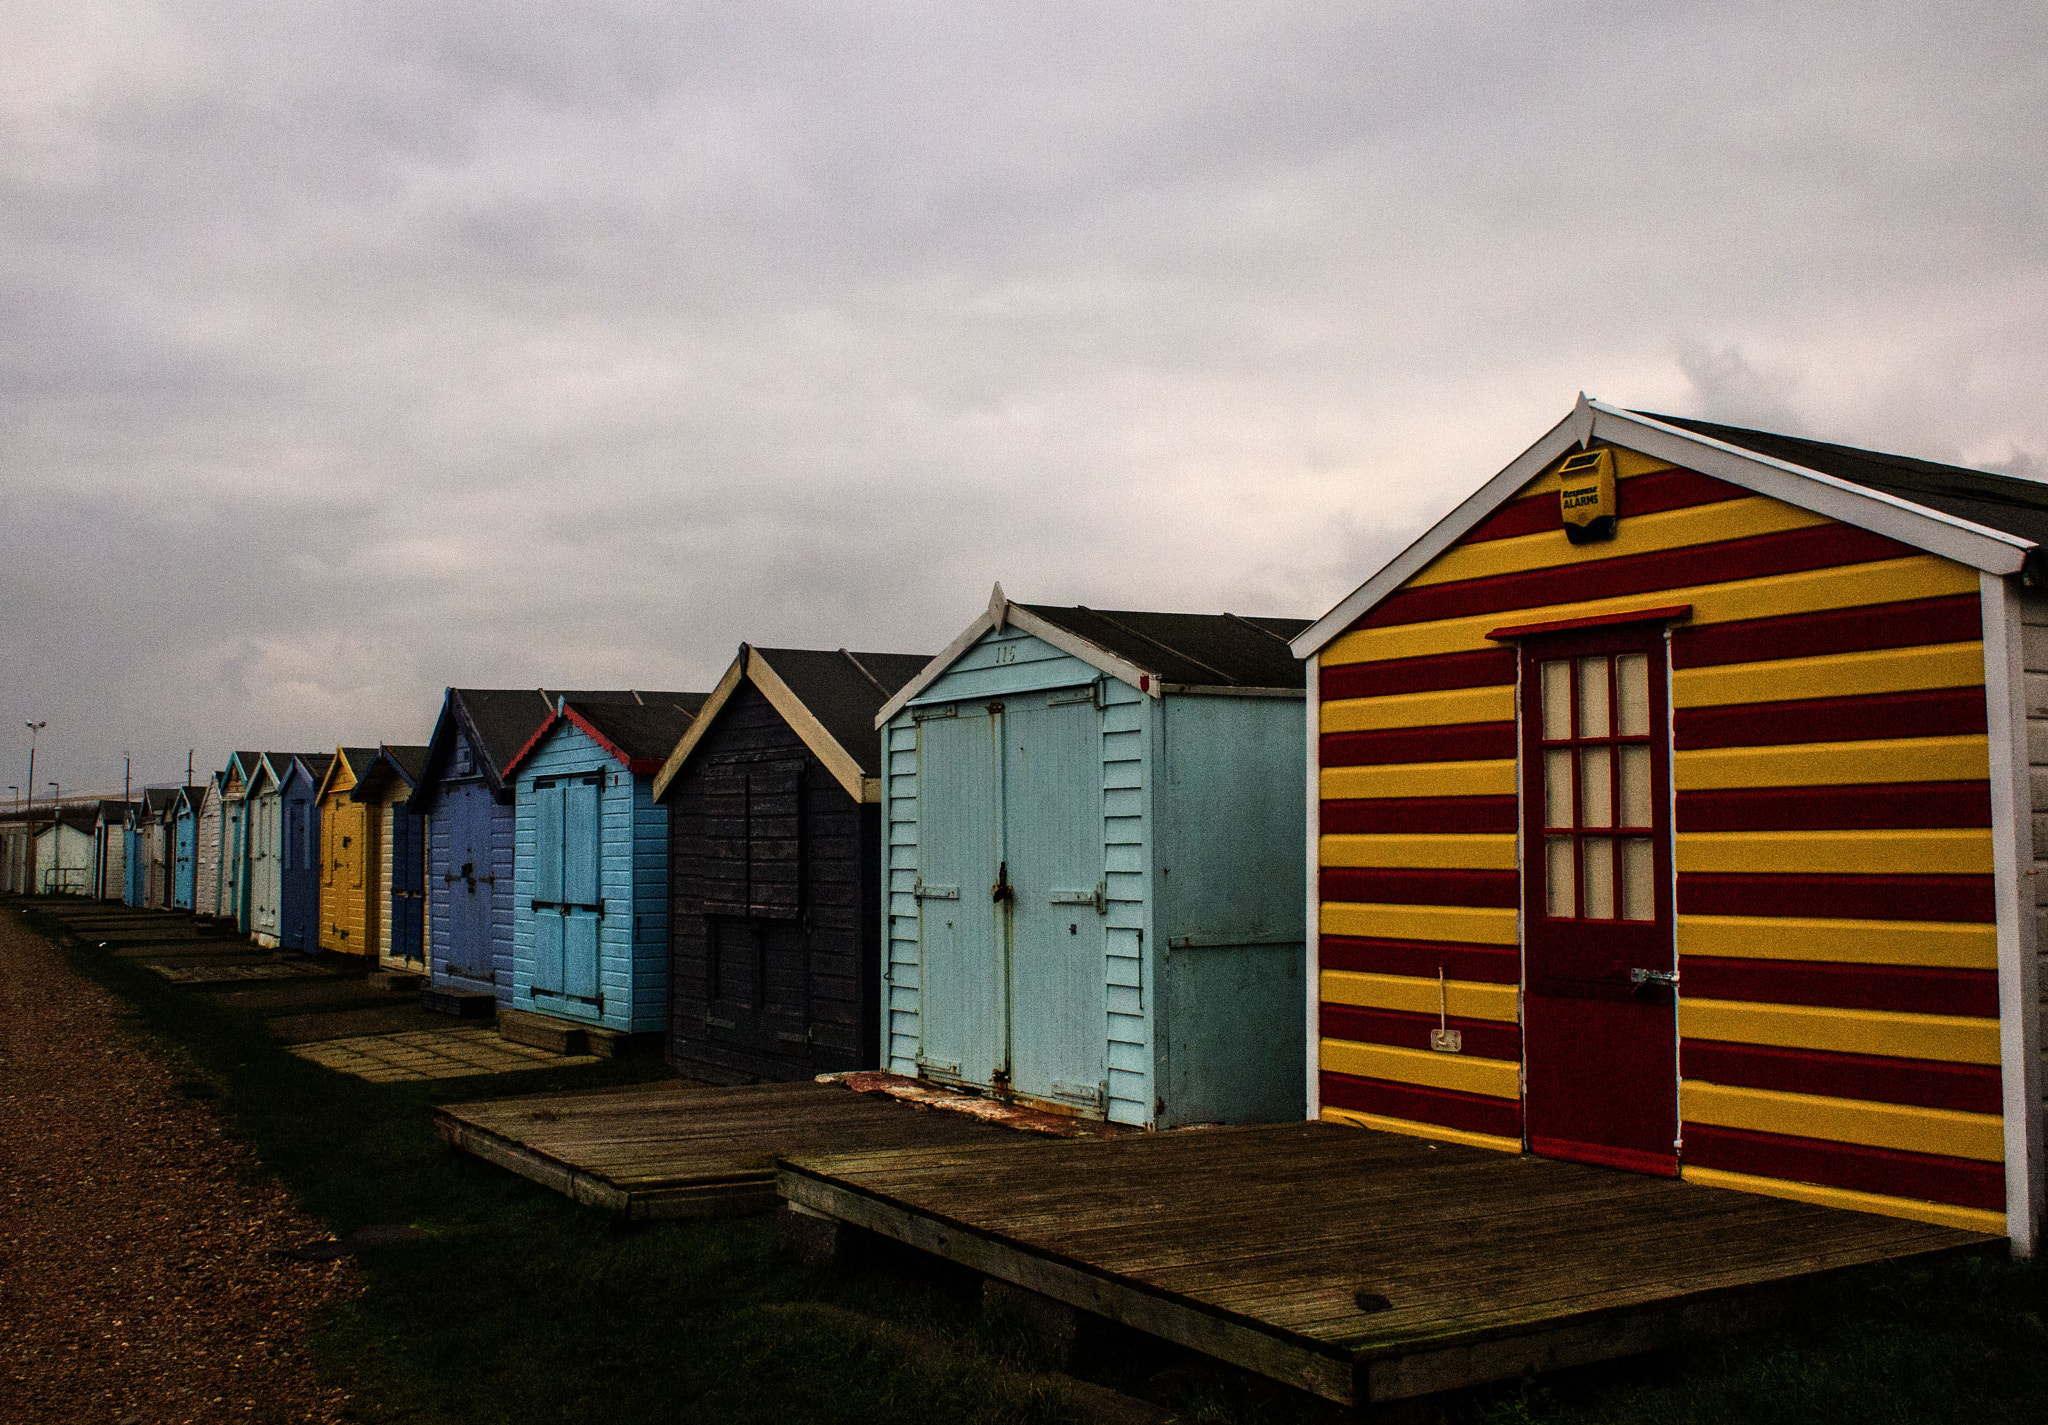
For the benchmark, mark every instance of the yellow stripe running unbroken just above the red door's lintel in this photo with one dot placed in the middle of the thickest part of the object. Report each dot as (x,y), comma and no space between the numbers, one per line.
(1844,587)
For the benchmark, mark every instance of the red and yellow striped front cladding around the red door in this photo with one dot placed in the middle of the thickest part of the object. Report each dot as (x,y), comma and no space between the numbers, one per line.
(1832,840)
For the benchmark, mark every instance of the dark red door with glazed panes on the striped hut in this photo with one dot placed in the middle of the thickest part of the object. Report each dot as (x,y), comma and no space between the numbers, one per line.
(1601,988)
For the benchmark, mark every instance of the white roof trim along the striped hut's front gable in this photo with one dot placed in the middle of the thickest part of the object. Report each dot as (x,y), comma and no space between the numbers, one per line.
(1992,552)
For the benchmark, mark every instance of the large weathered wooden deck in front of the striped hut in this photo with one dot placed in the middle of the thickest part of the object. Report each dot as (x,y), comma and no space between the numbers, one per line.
(1355,1264)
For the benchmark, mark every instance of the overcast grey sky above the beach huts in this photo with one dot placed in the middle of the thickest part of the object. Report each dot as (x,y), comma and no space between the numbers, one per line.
(351,351)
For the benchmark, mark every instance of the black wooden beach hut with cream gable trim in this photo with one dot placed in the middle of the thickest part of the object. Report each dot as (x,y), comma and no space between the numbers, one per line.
(775,867)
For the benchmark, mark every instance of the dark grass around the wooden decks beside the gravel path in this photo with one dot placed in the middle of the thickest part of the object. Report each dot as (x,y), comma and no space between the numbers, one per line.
(523,1307)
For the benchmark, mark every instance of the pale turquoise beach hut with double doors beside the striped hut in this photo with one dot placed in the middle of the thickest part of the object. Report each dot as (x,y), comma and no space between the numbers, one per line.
(1095,865)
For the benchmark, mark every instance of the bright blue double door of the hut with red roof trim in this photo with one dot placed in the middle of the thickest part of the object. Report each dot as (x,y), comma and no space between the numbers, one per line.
(568,890)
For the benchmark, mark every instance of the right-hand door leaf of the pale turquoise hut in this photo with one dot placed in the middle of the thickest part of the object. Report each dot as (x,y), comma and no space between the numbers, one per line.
(1052,857)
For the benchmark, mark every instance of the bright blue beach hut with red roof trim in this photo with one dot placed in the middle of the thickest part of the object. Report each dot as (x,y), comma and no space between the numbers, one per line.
(591,863)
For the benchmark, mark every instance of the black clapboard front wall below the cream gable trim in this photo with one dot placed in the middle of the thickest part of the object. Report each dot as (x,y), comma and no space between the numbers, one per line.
(824,965)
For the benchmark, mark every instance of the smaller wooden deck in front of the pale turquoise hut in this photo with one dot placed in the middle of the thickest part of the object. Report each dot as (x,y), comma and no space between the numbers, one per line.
(685,1150)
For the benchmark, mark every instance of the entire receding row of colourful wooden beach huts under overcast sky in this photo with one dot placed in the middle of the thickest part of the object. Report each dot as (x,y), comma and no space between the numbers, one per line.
(1670,806)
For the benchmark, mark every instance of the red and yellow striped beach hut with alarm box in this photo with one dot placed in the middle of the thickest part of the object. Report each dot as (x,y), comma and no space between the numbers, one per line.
(1672,808)
